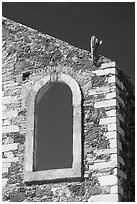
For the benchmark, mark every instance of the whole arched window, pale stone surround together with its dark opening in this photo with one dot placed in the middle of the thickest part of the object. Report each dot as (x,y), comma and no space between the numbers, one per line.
(53,137)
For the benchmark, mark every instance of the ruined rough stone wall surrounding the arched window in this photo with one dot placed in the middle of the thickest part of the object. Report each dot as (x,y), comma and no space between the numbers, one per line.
(107,110)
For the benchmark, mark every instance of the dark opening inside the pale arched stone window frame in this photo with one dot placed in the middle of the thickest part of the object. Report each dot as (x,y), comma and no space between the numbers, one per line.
(53,127)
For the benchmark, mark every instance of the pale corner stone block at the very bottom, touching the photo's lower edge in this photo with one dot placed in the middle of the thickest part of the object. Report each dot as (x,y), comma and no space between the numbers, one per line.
(104,198)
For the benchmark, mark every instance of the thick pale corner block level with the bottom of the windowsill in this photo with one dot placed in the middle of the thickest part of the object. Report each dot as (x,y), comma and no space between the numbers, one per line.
(108,180)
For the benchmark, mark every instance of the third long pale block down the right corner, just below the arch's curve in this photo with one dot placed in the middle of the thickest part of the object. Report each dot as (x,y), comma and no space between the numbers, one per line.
(106,103)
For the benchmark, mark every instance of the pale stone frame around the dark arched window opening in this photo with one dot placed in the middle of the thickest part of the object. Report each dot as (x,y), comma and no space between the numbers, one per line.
(53,174)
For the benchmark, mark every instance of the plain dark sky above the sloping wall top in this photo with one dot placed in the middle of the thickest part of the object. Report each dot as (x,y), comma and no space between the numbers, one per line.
(76,22)
